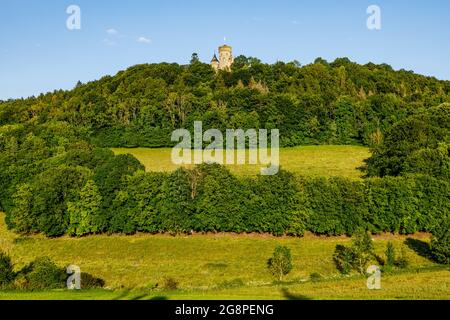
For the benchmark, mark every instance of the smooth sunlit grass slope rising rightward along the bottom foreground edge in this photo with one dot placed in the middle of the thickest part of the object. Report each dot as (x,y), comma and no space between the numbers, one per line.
(427,284)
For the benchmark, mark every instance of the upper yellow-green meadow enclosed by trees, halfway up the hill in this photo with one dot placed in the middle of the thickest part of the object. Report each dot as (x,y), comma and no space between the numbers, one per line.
(308,160)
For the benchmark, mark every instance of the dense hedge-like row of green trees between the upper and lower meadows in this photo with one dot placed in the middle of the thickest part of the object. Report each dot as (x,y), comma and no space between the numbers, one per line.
(210,199)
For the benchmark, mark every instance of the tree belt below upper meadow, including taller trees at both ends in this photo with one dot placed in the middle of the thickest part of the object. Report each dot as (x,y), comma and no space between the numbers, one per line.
(52,181)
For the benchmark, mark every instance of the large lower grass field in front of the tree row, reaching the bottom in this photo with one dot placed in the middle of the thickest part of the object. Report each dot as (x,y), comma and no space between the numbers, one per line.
(221,266)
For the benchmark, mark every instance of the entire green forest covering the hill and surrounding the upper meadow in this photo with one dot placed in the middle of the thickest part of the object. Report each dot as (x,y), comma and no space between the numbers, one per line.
(57,175)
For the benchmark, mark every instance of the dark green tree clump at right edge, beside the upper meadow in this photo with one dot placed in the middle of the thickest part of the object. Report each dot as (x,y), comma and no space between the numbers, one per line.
(417,144)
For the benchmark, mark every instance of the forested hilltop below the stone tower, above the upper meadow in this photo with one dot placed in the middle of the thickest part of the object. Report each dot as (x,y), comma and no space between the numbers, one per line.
(322,103)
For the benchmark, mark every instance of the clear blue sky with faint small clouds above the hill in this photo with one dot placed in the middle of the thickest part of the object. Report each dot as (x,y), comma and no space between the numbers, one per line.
(39,54)
